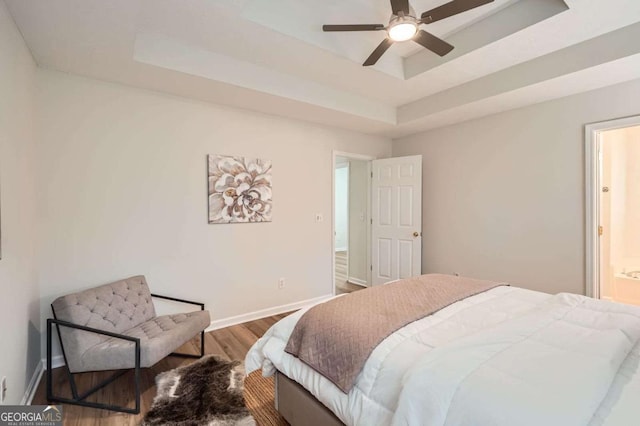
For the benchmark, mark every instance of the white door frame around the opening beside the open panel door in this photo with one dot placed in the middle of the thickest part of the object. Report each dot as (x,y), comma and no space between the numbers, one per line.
(354,156)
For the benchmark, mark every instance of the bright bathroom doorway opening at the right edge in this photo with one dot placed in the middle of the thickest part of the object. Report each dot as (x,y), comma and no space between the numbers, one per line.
(615,195)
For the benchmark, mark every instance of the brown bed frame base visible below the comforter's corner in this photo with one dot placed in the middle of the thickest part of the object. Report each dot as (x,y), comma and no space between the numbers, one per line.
(299,407)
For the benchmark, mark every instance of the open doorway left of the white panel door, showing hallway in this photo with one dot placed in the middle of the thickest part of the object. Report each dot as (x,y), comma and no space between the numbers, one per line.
(352,222)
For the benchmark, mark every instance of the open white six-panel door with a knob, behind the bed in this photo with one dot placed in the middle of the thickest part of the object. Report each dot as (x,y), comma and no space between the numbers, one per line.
(396,229)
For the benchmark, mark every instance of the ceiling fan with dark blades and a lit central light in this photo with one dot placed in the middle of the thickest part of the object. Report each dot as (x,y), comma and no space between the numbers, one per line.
(404,26)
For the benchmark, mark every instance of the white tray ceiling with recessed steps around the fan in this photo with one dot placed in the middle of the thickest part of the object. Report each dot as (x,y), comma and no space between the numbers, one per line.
(272,56)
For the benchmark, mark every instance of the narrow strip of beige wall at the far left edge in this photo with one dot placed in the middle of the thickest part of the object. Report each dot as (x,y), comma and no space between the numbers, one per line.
(19,300)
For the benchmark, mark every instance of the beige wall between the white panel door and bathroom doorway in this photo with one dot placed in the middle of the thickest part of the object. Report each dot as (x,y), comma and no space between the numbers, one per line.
(503,196)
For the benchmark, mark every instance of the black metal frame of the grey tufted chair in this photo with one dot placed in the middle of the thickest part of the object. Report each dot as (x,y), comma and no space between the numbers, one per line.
(80,399)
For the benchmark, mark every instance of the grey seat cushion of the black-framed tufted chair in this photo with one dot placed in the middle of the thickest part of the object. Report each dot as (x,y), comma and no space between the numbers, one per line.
(158,336)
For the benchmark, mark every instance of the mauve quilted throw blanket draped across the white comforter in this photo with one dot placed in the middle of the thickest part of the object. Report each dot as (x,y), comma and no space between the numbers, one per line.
(335,338)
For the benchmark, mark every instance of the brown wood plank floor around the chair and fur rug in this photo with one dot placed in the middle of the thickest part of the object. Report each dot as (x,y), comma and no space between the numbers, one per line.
(229,343)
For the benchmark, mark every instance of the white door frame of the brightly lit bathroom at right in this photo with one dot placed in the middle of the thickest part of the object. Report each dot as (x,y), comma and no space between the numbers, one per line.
(592,197)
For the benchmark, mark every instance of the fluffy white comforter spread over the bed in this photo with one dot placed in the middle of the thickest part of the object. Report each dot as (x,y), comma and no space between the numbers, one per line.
(508,356)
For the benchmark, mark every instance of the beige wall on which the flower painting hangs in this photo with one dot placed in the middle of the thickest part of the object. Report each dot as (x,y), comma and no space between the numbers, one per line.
(123,192)
